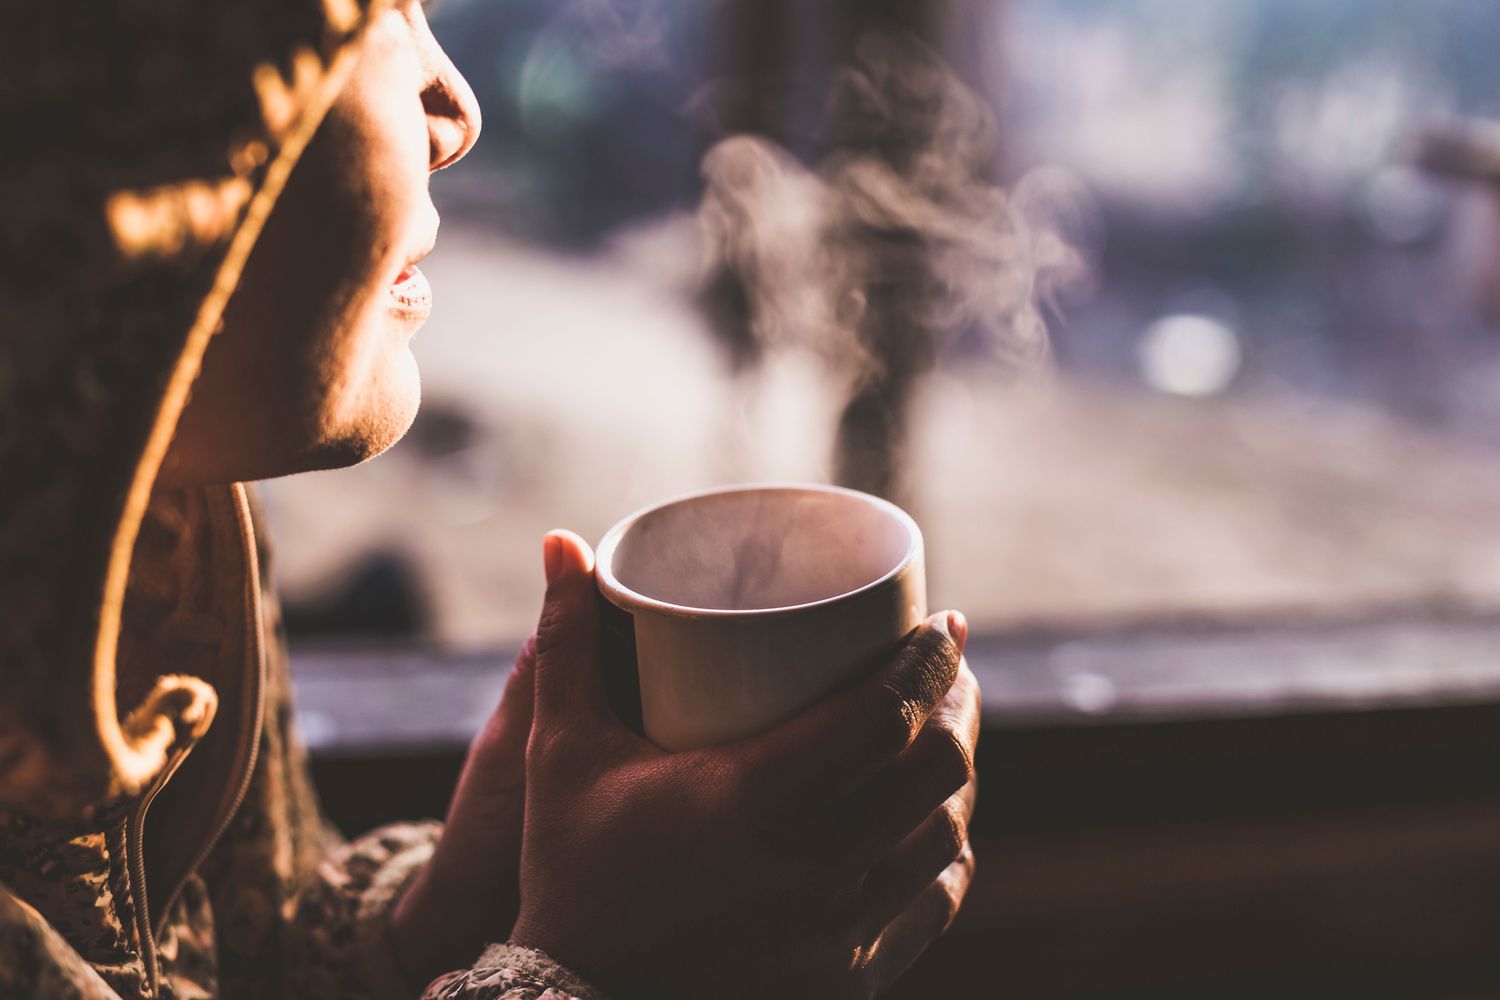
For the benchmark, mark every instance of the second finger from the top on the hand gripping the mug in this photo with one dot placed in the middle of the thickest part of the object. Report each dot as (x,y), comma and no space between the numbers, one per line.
(938,764)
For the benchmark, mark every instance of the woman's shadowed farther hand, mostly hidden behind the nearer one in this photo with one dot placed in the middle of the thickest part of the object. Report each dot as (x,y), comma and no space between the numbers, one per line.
(470,893)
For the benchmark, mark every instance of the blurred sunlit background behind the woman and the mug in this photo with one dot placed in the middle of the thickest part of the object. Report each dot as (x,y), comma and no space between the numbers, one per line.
(1175,323)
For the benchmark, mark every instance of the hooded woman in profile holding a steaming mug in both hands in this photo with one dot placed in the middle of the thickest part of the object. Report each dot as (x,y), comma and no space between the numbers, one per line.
(158,831)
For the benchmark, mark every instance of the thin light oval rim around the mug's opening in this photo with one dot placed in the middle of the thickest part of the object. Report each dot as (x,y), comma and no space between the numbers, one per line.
(629,600)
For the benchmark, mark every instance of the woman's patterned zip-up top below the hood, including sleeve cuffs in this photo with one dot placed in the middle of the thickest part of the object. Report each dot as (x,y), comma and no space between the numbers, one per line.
(277,905)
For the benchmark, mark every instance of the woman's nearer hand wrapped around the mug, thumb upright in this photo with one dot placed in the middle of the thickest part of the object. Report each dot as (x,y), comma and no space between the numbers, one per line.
(818,860)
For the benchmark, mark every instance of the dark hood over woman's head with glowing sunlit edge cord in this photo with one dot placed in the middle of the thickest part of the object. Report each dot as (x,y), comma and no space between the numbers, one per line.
(145,146)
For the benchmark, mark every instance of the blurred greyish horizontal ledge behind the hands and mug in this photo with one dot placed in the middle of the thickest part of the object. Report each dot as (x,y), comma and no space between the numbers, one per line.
(392,698)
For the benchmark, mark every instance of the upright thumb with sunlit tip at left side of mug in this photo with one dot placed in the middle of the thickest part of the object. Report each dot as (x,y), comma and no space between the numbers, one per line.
(569,659)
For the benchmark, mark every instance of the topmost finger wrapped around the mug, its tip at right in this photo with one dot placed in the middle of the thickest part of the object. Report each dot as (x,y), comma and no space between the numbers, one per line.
(844,741)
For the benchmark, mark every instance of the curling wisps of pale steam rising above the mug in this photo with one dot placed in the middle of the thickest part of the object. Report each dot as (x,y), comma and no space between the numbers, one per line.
(907,175)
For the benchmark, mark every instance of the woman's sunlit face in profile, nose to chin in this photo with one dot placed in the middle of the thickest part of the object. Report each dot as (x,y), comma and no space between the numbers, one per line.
(313,368)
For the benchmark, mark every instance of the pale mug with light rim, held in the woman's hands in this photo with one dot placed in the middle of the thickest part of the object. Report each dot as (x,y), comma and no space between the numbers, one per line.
(746,605)
